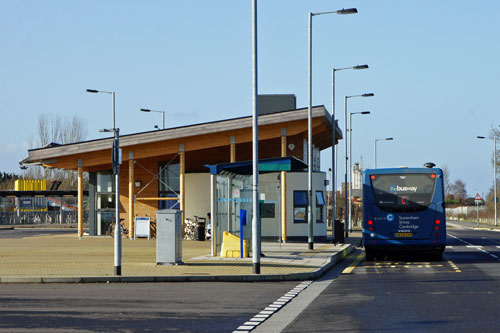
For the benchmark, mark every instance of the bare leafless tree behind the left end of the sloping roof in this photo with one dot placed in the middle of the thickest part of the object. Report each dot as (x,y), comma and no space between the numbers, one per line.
(55,129)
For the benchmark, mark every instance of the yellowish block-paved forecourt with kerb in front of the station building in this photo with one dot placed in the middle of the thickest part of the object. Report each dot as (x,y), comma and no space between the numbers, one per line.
(65,258)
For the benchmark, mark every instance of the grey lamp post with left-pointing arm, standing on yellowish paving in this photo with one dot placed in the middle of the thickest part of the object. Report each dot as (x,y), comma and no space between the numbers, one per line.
(115,157)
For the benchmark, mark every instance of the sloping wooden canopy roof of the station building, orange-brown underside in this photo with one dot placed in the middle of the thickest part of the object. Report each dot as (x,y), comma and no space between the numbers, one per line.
(202,139)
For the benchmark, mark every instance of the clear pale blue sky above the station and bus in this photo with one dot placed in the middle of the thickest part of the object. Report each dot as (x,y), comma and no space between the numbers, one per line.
(434,71)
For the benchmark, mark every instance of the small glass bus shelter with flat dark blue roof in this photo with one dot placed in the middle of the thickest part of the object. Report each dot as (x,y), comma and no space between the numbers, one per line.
(231,197)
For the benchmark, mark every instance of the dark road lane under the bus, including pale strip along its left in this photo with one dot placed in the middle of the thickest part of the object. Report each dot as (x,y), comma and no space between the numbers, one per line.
(459,294)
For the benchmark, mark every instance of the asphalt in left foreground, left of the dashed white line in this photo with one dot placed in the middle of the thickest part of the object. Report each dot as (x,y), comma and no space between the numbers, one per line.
(181,307)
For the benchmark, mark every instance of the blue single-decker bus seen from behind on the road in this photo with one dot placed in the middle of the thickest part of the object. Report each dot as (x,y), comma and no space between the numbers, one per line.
(404,211)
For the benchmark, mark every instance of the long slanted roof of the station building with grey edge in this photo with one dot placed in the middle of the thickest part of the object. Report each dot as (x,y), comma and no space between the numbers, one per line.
(61,156)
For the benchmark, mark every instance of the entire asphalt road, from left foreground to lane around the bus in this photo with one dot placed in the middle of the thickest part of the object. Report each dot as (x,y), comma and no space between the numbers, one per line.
(460,293)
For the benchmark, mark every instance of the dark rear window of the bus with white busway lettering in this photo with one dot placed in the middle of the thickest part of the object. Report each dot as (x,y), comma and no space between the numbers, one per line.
(401,192)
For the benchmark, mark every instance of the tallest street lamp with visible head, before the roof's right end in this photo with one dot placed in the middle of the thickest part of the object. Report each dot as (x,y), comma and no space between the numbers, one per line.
(310,233)
